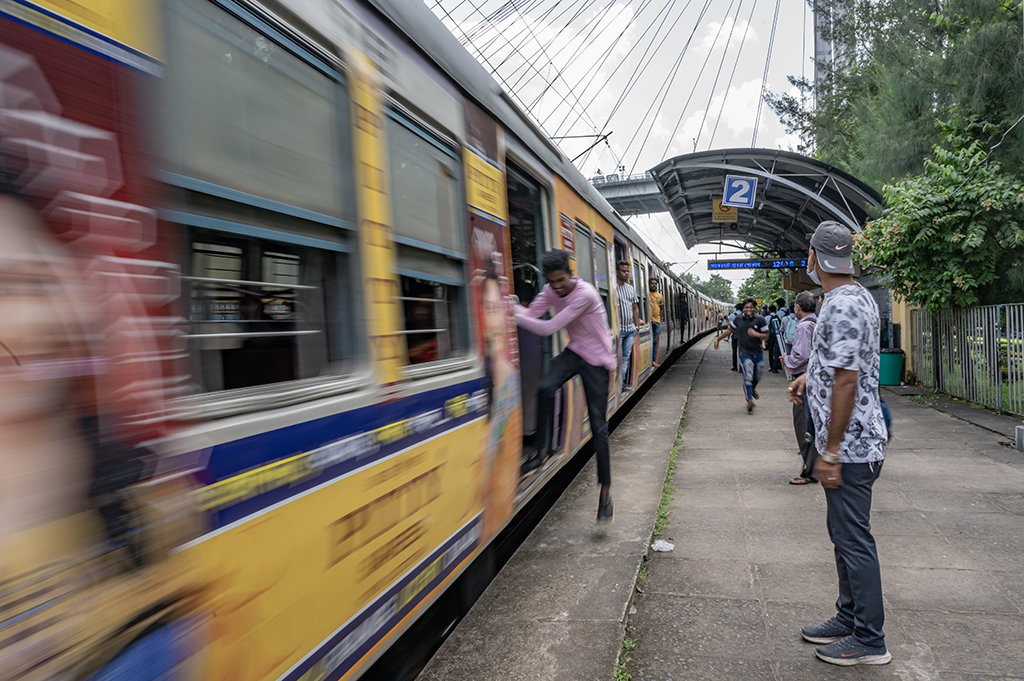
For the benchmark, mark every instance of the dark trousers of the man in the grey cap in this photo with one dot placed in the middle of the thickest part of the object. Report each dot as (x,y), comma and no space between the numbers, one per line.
(860,605)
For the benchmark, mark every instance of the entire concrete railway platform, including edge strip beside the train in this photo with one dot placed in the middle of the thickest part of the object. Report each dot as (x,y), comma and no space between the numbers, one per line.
(752,561)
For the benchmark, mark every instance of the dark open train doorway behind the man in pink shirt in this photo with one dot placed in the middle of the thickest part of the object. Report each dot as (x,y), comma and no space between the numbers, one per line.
(527,233)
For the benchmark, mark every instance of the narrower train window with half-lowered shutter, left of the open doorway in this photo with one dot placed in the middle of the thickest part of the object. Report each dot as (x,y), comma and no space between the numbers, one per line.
(426,189)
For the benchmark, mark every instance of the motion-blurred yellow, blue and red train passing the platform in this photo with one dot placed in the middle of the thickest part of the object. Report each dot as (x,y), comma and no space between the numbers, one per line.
(263,396)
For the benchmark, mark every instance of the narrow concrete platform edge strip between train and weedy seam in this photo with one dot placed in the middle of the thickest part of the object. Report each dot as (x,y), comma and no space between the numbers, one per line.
(559,608)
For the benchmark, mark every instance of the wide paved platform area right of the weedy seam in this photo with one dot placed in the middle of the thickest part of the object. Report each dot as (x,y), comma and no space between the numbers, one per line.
(753,562)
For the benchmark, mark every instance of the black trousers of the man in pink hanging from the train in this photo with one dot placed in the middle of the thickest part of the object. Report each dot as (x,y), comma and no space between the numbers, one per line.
(595,386)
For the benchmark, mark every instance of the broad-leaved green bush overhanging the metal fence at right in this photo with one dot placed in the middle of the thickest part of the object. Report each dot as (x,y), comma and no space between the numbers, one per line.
(952,232)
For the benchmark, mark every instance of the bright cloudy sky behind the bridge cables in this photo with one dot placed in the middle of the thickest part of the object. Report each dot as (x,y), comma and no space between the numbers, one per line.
(664,77)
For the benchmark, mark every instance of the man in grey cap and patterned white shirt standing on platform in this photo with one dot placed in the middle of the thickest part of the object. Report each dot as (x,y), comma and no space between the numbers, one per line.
(842,390)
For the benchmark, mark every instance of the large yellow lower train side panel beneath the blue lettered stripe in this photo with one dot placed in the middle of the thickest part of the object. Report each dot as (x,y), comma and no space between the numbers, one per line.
(285,580)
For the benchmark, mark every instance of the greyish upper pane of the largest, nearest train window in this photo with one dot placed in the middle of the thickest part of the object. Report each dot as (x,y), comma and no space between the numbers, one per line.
(246,114)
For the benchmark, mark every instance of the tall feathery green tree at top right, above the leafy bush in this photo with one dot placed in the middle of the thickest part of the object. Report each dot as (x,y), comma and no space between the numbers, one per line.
(900,66)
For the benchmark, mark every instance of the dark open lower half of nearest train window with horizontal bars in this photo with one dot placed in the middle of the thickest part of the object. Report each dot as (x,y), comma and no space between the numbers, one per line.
(261,312)
